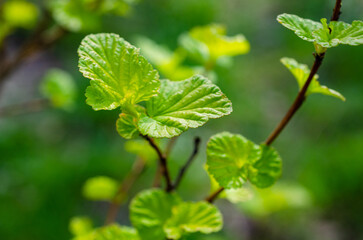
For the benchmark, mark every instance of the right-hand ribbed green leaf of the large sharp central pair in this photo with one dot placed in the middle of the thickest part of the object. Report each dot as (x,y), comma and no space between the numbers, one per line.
(182,105)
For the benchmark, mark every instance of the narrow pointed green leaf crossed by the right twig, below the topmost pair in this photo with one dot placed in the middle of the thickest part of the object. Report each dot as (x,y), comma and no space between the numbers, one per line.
(301,73)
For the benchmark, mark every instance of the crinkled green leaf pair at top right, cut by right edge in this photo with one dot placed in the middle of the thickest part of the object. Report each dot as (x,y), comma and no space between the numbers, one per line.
(324,34)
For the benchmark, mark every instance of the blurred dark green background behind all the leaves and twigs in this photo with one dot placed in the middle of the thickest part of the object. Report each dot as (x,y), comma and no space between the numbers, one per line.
(45,157)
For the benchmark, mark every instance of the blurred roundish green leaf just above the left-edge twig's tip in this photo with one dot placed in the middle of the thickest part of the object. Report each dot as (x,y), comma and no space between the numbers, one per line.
(60,88)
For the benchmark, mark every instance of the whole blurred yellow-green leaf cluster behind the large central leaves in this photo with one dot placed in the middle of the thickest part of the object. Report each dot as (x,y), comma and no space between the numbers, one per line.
(200,51)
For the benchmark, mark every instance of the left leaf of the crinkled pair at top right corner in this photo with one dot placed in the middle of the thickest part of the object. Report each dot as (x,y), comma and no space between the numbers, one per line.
(302,27)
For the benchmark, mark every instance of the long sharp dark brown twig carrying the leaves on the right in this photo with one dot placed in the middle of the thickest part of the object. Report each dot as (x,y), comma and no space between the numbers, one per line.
(299,100)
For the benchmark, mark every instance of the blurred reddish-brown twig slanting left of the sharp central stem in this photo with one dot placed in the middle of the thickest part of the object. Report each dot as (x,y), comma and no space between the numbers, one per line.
(137,168)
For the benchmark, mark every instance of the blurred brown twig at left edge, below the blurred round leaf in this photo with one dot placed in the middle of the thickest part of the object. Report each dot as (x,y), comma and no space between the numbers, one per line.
(24,108)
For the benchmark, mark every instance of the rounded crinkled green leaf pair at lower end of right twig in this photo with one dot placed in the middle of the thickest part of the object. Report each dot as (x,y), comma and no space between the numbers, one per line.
(232,160)
